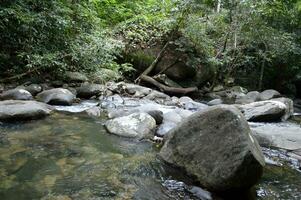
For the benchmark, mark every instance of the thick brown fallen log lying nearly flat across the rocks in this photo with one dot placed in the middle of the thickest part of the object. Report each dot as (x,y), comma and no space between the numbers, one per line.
(167,89)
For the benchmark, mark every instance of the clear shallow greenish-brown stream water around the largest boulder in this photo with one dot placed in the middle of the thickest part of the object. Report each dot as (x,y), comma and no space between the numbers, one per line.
(71,156)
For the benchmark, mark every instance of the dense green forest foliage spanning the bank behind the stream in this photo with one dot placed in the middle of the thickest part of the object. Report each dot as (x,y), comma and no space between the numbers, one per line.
(247,40)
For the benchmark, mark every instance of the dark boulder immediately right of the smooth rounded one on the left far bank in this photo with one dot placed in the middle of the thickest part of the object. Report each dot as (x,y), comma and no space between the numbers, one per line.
(89,90)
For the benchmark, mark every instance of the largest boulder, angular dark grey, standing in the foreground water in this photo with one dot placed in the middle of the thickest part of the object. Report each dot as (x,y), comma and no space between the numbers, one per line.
(215,146)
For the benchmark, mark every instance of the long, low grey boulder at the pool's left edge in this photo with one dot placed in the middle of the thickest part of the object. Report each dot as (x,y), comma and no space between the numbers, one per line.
(14,110)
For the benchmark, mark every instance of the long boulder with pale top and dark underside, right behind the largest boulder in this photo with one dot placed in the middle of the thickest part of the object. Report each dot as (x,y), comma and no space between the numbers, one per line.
(263,111)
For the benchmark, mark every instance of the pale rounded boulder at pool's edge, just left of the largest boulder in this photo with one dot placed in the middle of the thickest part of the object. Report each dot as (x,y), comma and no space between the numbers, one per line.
(136,125)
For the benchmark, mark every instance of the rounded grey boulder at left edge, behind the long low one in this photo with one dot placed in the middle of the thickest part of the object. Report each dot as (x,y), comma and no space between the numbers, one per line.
(16,94)
